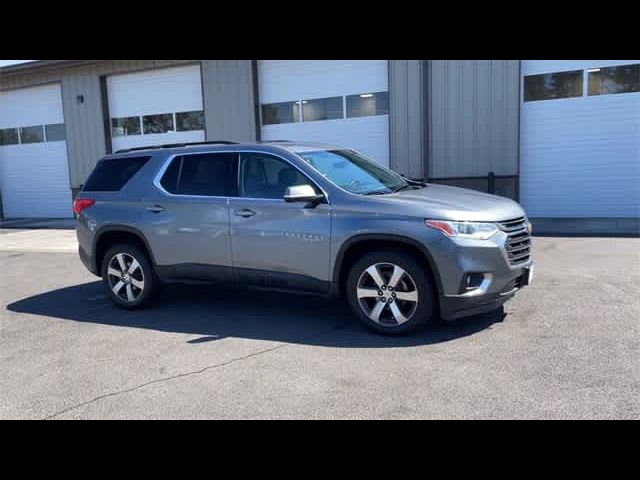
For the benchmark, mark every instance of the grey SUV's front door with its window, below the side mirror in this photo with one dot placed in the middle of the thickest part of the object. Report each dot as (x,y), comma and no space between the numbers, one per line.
(275,243)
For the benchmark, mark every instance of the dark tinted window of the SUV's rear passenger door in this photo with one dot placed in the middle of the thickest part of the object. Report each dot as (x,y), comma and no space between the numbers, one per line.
(208,174)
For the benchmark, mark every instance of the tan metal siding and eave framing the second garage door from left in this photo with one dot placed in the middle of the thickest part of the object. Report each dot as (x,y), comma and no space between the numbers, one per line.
(227,98)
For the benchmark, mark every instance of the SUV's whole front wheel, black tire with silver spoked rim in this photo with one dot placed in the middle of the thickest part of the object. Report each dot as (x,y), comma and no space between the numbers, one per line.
(390,292)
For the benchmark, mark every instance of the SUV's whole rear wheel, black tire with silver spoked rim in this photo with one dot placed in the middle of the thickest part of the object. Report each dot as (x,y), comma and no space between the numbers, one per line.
(128,276)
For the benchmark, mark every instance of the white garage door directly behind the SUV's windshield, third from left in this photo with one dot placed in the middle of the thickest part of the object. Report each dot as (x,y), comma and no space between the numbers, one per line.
(342,102)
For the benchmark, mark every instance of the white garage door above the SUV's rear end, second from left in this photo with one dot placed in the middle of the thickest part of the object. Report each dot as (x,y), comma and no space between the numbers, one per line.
(156,107)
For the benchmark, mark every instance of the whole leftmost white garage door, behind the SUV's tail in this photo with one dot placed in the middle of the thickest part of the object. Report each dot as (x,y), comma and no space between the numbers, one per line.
(34,173)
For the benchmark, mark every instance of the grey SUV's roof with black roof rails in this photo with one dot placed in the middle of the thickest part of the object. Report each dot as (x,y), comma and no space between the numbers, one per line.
(270,145)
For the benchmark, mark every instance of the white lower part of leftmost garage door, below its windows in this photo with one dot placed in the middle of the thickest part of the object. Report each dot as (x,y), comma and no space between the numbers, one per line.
(35,181)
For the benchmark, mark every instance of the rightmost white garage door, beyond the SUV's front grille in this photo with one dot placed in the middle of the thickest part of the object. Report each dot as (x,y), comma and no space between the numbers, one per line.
(580,138)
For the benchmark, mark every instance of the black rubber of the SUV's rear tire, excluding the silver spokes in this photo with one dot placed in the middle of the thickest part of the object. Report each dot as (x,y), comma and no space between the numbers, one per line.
(144,272)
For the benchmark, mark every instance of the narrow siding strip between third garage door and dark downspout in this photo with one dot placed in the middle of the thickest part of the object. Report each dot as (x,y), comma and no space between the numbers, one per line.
(407,116)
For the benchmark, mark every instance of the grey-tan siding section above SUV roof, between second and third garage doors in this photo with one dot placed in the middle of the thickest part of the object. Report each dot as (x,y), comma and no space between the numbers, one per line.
(228,100)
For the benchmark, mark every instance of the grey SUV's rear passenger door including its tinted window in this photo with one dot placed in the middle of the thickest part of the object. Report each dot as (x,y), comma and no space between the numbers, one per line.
(188,216)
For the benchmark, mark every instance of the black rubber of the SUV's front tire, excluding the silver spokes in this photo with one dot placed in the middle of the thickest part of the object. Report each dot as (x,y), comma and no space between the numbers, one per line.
(417,281)
